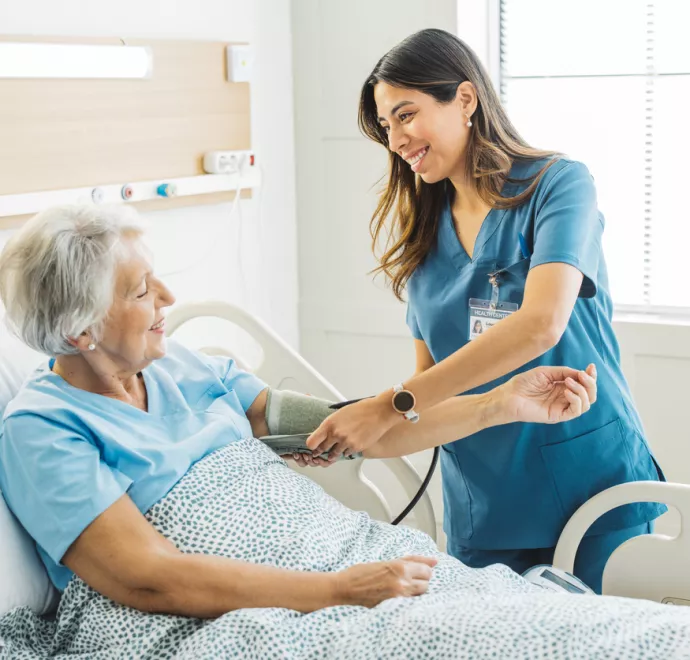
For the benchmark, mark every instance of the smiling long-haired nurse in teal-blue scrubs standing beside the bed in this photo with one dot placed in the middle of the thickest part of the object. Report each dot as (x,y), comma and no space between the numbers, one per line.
(480,226)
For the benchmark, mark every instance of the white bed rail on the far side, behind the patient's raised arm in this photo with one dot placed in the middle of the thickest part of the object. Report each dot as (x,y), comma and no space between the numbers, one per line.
(279,364)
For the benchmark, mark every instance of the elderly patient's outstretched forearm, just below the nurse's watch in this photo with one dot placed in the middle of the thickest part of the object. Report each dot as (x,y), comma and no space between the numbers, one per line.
(457,417)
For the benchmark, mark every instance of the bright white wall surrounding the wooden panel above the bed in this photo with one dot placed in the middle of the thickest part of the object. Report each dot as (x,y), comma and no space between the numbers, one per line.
(204,237)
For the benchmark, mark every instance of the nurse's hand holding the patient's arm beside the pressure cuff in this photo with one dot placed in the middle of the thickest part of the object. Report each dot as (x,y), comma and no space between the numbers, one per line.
(353,428)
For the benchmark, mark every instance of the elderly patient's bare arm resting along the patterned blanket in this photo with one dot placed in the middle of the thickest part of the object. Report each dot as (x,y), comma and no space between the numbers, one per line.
(124,558)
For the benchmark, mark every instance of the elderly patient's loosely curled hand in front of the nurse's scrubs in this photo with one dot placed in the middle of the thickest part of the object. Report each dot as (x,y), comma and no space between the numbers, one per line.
(548,395)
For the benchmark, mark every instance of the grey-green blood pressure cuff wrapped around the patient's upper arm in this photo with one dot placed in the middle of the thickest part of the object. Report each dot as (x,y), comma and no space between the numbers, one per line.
(291,417)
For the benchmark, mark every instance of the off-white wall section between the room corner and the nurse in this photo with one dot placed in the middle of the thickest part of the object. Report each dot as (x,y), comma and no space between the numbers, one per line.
(352,329)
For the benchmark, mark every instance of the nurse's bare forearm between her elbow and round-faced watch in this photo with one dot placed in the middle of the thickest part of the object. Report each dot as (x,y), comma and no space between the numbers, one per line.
(507,346)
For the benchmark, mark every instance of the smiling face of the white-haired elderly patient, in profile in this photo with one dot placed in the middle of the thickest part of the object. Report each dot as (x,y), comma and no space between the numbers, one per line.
(134,332)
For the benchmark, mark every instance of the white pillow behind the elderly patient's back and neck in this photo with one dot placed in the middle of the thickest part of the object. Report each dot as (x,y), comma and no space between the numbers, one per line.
(23,578)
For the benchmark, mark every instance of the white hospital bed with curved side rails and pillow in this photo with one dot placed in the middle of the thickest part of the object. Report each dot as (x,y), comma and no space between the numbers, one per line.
(655,567)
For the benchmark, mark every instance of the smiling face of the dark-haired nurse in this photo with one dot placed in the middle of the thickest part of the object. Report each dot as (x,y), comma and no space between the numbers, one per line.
(431,137)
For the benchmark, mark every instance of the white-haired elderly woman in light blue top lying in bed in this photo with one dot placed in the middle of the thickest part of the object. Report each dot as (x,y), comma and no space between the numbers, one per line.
(133,462)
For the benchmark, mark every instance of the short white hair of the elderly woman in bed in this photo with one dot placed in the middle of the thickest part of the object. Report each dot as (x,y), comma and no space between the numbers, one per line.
(57,273)
